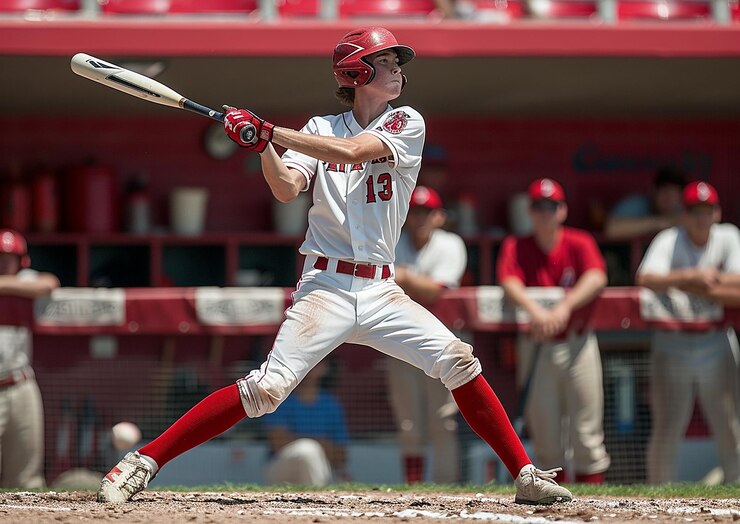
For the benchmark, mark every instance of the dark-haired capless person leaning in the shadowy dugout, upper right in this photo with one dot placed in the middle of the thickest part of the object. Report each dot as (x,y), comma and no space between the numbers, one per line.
(641,215)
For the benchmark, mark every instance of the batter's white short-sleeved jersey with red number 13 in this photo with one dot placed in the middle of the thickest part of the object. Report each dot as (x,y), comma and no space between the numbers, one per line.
(358,210)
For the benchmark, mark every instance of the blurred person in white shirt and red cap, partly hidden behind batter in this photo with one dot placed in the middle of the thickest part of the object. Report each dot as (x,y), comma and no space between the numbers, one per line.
(428,261)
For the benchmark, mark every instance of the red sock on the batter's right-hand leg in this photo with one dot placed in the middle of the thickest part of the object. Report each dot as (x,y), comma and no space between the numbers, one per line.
(484,413)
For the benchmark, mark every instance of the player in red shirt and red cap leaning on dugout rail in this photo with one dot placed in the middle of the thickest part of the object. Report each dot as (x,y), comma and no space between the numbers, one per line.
(559,369)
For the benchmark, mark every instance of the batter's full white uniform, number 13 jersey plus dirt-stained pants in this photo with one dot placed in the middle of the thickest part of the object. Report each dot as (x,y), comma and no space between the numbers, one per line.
(357,215)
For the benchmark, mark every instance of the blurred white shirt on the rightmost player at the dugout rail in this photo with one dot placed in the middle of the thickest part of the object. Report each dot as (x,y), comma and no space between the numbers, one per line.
(671,249)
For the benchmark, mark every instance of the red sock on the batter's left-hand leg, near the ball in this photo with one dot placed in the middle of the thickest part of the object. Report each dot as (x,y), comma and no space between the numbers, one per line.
(210,417)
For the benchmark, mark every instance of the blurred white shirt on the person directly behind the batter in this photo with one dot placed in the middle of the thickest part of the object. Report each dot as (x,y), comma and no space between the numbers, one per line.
(443,258)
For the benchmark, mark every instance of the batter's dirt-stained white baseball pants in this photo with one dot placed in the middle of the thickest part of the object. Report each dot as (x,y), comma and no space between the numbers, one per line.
(331,308)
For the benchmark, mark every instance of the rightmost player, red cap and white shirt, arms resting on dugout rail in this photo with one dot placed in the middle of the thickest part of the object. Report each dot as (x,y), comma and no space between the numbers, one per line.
(701,257)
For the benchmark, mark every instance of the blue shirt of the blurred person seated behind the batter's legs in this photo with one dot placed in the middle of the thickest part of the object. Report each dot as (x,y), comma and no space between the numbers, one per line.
(324,419)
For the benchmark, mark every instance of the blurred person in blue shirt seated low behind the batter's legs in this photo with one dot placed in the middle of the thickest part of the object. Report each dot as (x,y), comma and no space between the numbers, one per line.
(308,435)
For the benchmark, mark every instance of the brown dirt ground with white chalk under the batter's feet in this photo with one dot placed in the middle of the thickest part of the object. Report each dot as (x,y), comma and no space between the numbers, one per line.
(379,506)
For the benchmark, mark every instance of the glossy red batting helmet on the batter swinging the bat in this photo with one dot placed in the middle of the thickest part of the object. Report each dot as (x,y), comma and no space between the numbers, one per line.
(350,67)
